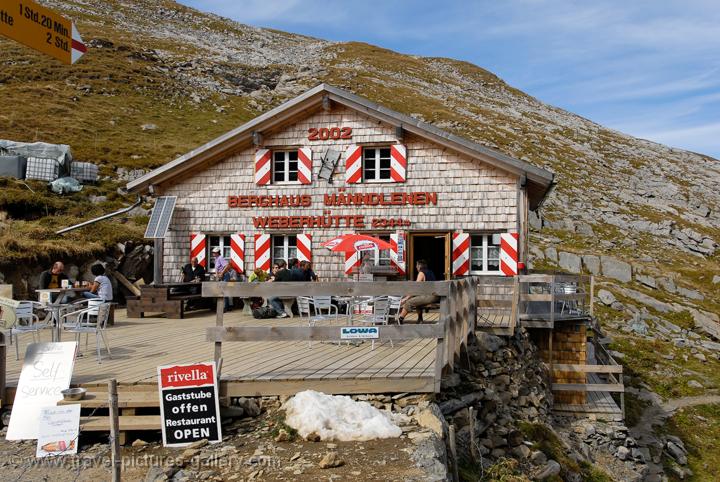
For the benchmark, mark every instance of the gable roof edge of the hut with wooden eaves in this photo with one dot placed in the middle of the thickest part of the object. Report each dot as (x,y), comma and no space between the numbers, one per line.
(539,181)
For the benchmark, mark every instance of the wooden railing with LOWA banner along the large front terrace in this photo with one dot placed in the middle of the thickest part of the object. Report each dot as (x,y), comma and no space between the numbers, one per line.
(456,323)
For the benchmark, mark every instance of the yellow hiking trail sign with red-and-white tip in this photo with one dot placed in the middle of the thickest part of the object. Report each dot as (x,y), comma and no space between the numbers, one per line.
(42,29)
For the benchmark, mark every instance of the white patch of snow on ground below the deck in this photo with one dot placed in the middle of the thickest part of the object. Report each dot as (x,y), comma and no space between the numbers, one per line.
(337,417)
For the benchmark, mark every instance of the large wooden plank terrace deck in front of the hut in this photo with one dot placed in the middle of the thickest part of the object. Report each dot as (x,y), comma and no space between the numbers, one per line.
(250,368)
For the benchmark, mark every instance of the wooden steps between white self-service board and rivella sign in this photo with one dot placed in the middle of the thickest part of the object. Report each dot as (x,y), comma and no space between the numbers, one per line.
(130,399)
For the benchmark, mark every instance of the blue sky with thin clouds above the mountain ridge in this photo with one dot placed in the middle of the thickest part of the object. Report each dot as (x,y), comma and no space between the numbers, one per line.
(647,68)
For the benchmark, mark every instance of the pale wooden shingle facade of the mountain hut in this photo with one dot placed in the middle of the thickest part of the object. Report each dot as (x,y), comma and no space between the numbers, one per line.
(471,196)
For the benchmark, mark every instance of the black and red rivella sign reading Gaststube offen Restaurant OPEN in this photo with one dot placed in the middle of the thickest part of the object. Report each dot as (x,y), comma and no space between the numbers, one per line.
(189,406)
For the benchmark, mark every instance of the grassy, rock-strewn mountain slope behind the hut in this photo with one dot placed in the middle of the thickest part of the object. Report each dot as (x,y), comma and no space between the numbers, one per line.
(161,78)
